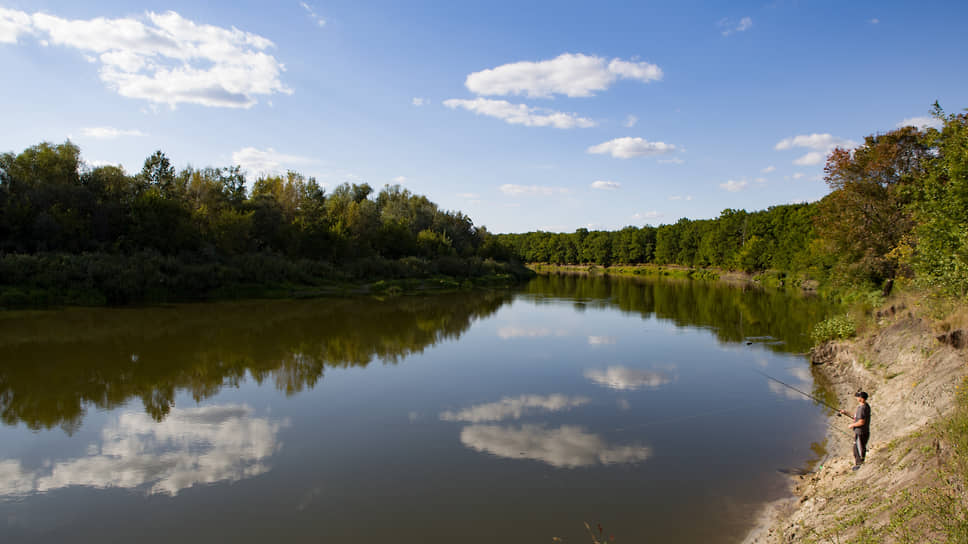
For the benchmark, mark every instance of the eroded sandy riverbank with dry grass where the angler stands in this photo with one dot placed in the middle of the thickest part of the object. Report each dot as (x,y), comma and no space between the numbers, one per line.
(911,359)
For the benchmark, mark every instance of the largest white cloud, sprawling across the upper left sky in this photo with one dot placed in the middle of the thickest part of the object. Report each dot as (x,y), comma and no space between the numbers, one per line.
(162,57)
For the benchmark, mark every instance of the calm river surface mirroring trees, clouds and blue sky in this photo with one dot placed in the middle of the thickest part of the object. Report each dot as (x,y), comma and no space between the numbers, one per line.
(476,417)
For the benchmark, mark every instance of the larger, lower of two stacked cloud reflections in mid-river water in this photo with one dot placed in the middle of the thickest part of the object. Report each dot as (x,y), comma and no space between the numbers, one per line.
(568,446)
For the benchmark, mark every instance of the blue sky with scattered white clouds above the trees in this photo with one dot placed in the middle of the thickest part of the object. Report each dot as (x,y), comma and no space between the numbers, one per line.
(524,115)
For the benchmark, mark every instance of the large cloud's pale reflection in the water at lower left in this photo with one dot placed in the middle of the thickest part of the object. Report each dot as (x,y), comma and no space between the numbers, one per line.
(192,446)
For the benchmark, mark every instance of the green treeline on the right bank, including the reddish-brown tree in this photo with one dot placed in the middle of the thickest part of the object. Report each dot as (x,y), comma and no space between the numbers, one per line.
(898,208)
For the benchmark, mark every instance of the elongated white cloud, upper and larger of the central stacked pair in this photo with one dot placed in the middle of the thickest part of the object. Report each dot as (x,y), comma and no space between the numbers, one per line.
(574,75)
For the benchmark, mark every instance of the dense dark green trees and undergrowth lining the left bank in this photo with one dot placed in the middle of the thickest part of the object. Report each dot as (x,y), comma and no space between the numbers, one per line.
(161,234)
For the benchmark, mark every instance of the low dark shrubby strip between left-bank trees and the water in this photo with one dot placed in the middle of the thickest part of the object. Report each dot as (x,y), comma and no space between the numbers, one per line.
(100,279)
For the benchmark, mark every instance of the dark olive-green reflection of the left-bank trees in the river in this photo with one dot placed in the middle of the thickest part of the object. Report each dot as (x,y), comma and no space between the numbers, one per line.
(53,365)
